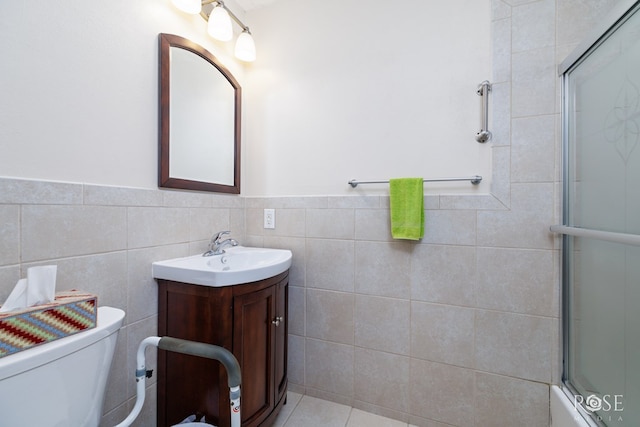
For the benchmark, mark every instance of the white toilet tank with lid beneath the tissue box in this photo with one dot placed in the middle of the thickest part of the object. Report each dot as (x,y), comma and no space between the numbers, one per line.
(61,383)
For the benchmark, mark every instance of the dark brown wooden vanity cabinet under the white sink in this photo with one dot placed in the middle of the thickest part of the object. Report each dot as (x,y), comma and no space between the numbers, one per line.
(250,320)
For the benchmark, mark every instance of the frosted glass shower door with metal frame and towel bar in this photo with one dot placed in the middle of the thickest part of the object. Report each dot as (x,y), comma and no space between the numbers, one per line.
(602,218)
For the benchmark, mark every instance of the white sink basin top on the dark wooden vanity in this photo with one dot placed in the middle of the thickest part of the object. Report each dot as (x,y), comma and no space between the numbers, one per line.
(237,265)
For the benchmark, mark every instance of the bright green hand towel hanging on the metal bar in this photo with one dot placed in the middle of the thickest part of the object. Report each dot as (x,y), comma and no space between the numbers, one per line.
(407,208)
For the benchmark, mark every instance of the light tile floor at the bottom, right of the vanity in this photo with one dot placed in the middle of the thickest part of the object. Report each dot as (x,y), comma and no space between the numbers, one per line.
(309,411)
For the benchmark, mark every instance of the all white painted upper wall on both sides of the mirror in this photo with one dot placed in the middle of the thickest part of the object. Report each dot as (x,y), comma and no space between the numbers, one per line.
(336,93)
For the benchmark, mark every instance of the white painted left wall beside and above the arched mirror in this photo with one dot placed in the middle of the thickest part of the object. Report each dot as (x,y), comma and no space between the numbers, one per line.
(79,87)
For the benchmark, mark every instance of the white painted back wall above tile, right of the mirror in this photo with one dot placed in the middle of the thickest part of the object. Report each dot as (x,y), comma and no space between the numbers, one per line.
(348,89)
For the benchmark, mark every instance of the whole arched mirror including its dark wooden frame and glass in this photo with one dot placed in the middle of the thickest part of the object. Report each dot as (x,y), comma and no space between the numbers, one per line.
(199,119)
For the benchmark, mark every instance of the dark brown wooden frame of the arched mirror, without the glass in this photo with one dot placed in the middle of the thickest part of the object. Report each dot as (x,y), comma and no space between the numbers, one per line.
(167,41)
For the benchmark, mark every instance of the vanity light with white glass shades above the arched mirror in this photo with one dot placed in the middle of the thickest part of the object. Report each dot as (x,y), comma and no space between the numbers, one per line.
(219,25)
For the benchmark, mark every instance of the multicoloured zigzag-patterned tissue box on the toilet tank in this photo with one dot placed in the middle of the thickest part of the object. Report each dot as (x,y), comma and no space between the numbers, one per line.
(71,312)
